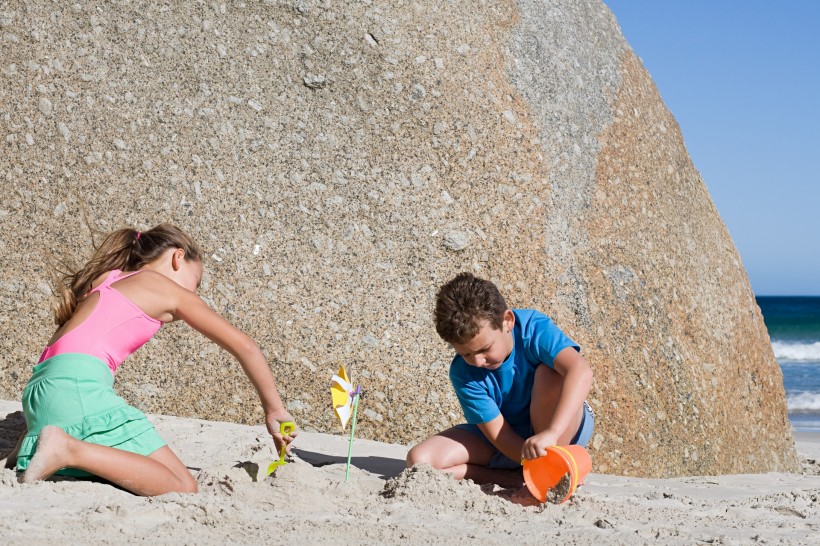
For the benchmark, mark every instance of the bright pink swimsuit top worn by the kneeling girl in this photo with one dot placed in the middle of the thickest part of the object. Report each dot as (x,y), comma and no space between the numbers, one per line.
(115,328)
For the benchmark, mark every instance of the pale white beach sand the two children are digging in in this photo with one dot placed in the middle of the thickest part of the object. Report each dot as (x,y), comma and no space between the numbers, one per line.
(309,504)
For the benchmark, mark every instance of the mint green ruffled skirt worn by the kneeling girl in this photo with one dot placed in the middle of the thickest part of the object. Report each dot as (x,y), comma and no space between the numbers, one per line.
(75,392)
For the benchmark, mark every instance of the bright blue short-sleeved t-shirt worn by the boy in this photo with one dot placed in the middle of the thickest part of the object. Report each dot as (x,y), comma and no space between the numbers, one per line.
(484,393)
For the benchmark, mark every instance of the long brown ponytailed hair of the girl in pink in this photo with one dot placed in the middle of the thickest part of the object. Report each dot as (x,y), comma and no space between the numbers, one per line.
(125,249)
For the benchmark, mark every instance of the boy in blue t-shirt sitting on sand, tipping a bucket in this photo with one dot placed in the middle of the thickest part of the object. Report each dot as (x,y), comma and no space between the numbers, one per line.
(521,382)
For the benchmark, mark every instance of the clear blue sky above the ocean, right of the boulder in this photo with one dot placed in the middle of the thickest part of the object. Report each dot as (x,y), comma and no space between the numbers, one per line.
(742,78)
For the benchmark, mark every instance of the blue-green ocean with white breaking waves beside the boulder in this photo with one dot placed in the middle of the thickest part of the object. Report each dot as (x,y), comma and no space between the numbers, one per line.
(794,328)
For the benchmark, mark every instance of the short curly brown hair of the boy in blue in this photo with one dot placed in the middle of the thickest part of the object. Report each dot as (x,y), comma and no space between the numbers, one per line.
(463,303)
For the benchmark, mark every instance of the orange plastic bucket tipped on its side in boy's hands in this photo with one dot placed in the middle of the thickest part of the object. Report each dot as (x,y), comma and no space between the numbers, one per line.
(544,473)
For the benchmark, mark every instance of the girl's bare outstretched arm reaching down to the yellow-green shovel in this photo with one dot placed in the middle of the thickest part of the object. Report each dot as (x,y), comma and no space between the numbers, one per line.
(189,307)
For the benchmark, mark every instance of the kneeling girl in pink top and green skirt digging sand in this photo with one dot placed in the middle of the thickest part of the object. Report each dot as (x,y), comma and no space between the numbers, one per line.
(134,283)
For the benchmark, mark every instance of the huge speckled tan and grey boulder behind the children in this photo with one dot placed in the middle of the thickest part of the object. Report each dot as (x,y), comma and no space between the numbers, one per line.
(339,161)
